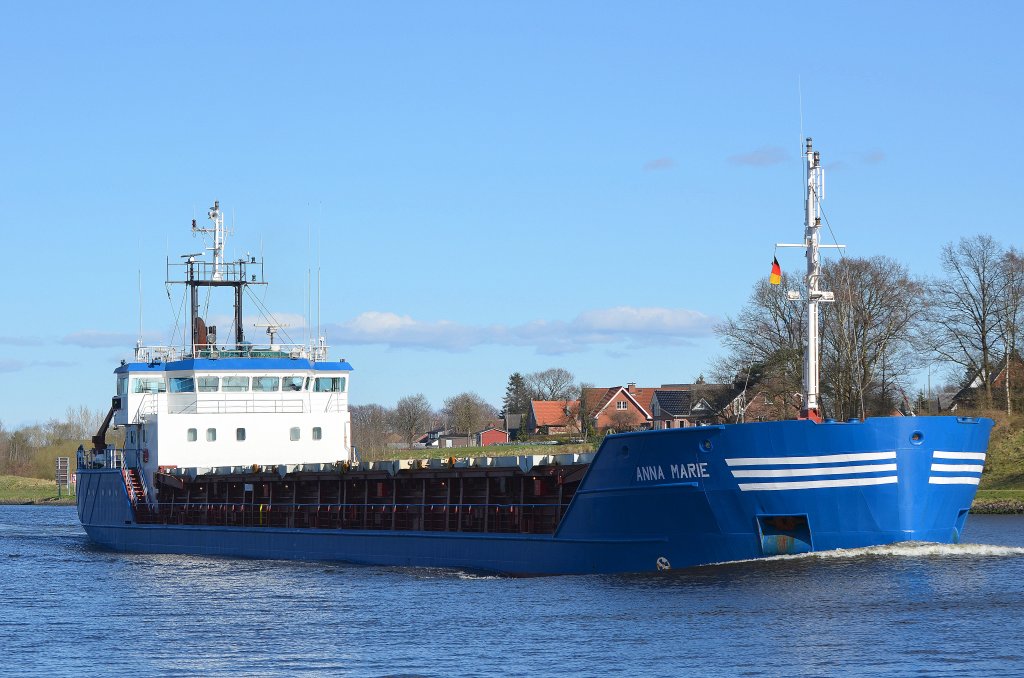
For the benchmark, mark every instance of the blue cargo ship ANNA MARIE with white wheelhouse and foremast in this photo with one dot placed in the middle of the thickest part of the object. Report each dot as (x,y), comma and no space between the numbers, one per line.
(233,449)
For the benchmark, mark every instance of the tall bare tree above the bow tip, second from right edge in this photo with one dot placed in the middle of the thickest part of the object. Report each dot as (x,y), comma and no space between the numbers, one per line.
(963,309)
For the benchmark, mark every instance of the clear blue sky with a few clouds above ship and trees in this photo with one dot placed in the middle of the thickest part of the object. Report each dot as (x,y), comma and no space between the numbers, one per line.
(483,188)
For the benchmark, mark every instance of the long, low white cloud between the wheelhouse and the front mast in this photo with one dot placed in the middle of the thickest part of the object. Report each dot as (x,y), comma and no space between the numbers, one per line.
(623,325)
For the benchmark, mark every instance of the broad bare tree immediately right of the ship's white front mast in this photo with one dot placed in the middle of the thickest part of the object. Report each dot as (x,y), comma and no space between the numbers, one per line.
(868,334)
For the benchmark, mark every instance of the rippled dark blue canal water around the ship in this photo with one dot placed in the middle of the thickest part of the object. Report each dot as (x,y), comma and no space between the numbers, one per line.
(70,609)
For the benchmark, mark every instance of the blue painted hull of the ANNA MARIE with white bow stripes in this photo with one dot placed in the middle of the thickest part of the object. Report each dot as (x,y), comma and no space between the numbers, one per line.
(654,500)
